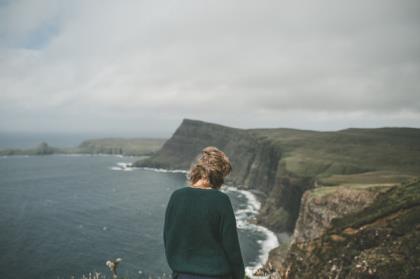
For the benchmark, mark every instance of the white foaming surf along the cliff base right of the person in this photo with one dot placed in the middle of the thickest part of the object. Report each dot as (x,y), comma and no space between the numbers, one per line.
(243,217)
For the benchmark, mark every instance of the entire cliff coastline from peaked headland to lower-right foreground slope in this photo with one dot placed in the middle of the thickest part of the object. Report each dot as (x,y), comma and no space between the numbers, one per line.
(350,197)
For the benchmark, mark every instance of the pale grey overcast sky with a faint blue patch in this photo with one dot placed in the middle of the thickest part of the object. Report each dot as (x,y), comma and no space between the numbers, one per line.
(139,67)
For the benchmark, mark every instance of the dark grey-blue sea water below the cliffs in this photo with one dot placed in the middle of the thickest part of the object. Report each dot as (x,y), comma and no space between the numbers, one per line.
(67,215)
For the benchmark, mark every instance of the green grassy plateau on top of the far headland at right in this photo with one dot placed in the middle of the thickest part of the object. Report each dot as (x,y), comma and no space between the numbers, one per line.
(313,153)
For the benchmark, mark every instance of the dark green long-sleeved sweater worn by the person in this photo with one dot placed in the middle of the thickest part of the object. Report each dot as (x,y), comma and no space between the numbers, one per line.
(200,234)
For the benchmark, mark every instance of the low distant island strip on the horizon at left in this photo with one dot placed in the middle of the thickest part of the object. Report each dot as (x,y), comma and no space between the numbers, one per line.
(115,146)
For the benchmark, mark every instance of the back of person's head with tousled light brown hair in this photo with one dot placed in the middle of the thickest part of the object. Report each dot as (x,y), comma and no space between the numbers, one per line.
(211,164)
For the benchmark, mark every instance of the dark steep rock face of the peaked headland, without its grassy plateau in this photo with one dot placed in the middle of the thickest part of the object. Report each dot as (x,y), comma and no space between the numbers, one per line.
(255,162)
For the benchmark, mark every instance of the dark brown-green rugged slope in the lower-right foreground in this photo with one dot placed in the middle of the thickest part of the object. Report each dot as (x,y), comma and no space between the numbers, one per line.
(378,241)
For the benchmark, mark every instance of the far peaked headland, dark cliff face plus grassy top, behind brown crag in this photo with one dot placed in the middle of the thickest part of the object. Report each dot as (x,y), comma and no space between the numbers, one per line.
(282,164)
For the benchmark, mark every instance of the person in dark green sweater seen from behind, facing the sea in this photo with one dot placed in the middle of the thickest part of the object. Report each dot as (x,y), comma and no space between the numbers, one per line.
(200,234)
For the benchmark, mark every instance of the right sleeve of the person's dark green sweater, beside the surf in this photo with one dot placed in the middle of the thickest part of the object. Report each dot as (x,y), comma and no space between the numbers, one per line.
(230,242)
